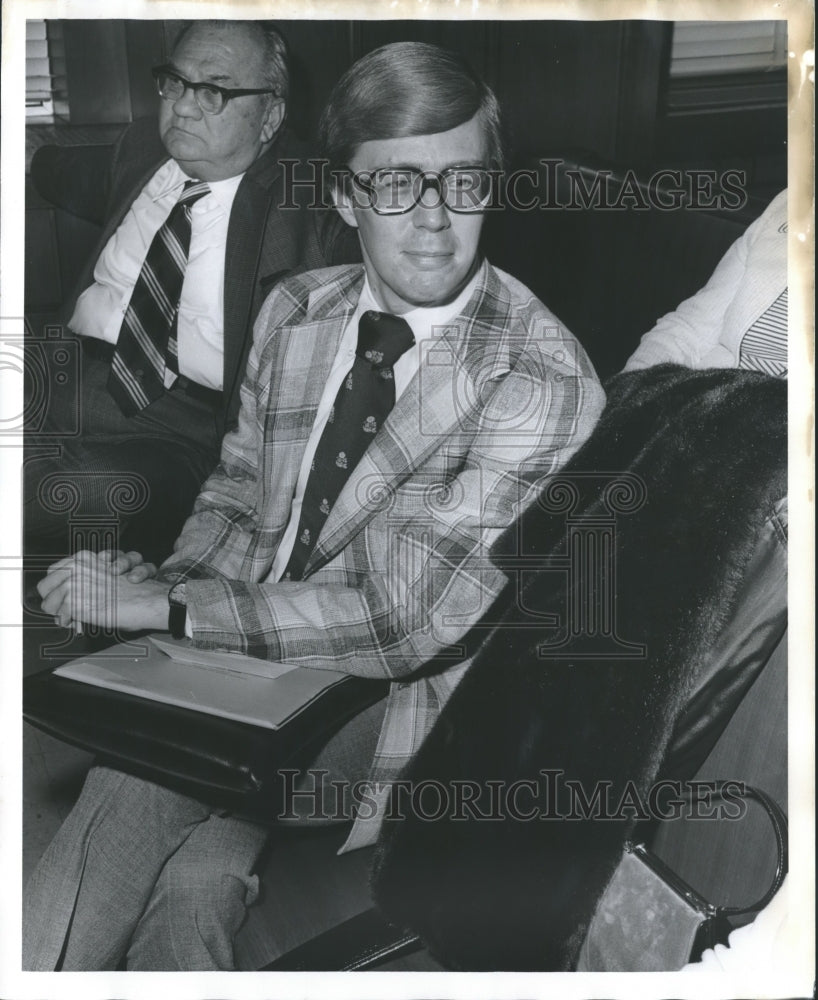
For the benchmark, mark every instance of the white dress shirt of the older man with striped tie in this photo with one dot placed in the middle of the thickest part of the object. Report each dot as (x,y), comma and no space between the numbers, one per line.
(101,307)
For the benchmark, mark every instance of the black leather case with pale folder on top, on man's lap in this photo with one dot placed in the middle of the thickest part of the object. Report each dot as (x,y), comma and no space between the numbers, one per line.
(214,725)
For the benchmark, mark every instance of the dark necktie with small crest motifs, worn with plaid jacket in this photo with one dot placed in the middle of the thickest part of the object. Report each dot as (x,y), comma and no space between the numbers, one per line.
(364,401)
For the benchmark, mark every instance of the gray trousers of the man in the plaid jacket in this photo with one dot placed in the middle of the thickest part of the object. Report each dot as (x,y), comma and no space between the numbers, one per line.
(142,877)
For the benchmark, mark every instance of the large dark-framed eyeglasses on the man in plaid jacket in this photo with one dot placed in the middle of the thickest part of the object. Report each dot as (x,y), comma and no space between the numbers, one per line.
(393,191)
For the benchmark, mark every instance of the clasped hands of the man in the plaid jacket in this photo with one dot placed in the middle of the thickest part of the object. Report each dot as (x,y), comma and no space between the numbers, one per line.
(97,588)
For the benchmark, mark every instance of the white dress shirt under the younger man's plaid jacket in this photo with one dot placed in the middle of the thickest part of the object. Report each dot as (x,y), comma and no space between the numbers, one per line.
(425,324)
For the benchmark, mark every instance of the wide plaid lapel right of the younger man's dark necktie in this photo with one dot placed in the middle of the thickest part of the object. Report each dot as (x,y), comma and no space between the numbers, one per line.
(435,405)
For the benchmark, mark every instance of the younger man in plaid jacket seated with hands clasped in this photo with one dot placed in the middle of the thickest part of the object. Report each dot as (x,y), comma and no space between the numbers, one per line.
(396,418)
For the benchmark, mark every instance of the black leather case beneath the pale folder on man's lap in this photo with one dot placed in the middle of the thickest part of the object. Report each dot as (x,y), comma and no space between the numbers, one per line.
(222,761)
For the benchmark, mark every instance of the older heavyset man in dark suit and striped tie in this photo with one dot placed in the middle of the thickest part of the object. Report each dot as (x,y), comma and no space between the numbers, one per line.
(195,239)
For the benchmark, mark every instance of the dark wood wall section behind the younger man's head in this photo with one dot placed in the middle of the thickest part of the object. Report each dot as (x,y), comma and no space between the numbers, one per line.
(562,84)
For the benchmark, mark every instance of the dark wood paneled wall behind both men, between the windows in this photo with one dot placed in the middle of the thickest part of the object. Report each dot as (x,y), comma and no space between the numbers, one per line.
(562,83)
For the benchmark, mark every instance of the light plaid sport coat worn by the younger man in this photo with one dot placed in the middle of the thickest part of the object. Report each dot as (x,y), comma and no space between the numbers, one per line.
(504,395)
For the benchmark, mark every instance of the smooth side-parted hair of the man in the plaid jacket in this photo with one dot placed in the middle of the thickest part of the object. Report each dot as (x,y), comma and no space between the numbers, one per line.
(406,89)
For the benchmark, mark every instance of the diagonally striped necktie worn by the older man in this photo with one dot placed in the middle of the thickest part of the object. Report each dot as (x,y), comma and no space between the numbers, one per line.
(147,340)
